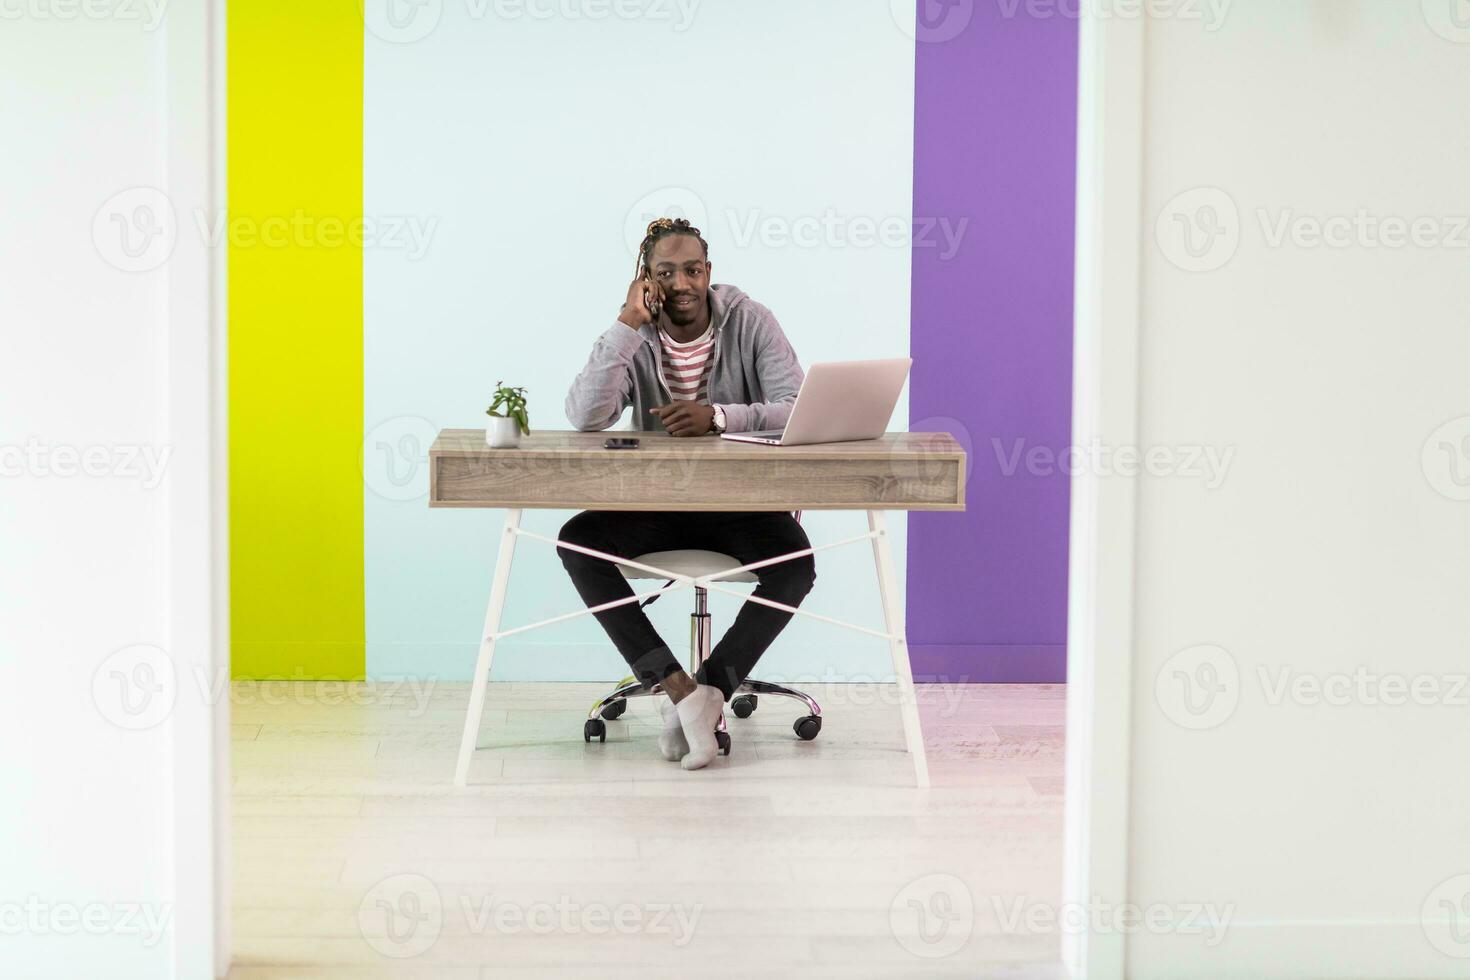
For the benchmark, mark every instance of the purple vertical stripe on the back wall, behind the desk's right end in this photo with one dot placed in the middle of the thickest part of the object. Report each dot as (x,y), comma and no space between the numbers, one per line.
(992,337)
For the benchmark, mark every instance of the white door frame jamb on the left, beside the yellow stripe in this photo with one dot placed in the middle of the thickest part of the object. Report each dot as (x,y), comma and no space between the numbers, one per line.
(198,491)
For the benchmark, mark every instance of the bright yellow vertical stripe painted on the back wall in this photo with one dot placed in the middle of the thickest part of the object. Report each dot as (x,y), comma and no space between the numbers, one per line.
(296,342)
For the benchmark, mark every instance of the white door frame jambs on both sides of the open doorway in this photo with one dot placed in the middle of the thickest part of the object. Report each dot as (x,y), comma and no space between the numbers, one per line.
(1100,616)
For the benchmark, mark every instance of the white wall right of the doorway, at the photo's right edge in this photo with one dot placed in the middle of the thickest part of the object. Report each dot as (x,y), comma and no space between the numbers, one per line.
(1330,546)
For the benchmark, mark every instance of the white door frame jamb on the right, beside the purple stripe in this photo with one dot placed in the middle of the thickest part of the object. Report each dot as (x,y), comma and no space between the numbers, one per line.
(1102,553)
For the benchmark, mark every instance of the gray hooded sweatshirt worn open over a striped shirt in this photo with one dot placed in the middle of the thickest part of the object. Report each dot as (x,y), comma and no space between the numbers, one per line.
(755,375)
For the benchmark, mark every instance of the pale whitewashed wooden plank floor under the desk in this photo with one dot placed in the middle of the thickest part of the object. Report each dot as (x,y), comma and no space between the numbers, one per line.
(355,859)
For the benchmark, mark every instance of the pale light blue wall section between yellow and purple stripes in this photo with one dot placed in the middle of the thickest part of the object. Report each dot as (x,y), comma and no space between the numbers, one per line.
(539,146)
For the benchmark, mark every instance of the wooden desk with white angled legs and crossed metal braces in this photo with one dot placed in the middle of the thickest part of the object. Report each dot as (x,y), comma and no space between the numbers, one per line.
(571,471)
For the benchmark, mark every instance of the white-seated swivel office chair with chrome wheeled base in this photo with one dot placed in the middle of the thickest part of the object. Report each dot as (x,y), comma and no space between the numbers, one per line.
(747,697)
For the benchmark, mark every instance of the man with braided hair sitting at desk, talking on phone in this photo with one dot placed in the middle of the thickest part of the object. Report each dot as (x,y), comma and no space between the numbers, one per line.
(696,359)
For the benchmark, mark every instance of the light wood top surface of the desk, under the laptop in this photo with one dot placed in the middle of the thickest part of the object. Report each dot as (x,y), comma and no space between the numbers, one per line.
(558,443)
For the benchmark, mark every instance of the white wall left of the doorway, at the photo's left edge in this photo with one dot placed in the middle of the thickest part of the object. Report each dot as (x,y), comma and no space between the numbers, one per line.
(87,815)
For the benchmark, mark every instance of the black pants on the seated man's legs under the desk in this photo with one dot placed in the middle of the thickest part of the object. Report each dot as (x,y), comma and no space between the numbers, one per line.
(746,536)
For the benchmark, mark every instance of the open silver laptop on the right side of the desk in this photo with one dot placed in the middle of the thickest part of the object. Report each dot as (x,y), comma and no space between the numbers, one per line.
(840,402)
